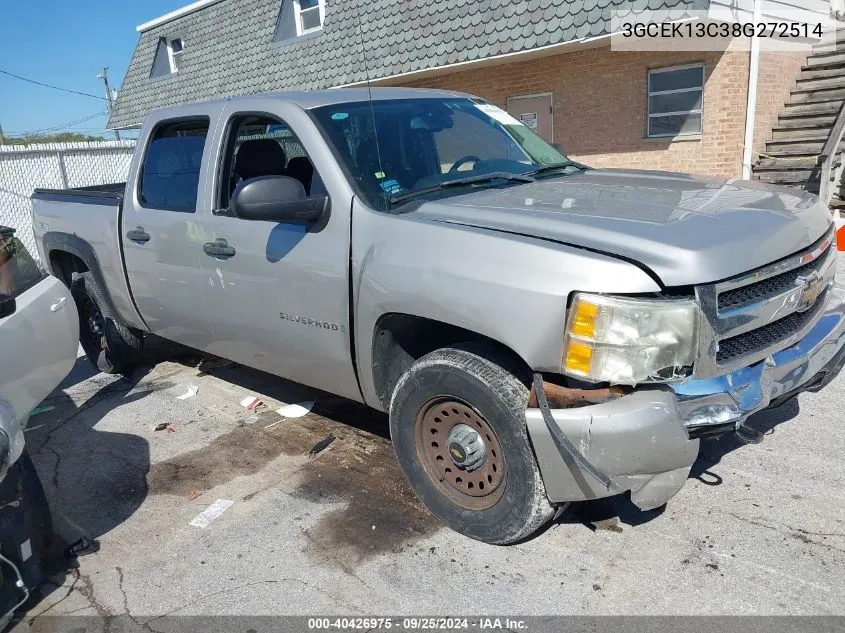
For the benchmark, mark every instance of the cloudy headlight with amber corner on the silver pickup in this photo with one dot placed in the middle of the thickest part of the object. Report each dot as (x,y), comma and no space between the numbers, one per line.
(629,341)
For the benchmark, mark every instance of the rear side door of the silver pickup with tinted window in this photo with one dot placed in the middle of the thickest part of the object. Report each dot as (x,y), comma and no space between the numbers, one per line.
(162,234)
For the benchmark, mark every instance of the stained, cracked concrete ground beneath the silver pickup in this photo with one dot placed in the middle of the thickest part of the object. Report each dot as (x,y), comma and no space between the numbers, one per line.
(758,529)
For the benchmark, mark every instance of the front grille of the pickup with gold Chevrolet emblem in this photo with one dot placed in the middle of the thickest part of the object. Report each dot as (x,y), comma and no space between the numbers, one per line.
(748,318)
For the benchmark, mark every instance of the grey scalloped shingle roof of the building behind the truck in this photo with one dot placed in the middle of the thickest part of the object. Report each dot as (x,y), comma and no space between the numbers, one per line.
(230,47)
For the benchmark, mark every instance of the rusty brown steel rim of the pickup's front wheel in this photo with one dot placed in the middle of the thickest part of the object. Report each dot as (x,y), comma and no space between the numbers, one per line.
(477,489)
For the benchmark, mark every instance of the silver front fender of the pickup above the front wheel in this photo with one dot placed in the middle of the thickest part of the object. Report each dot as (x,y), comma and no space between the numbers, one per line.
(508,288)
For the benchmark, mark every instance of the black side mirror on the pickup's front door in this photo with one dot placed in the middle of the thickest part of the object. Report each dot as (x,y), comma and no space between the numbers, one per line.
(277,199)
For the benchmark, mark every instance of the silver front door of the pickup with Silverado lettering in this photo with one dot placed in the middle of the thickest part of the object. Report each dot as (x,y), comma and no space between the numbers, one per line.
(279,299)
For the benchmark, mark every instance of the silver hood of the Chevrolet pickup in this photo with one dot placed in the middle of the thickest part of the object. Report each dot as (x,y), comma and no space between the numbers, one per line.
(686,230)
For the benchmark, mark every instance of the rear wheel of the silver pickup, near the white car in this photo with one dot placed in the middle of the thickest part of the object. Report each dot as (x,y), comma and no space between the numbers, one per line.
(110,345)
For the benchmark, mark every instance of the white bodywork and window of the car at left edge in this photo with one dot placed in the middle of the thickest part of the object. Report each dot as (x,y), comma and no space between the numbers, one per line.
(39,334)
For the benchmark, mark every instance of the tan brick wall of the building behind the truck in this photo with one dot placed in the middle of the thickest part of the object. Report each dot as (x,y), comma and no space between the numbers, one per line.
(600,105)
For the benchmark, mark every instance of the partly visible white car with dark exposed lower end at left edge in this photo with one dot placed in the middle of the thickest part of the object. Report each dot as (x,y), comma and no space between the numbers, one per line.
(39,338)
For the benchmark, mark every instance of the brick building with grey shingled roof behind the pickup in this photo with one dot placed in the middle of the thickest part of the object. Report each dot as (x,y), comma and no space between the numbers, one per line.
(549,62)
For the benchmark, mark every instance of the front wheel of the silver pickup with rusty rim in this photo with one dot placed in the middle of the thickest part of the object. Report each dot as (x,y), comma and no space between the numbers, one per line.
(466,375)
